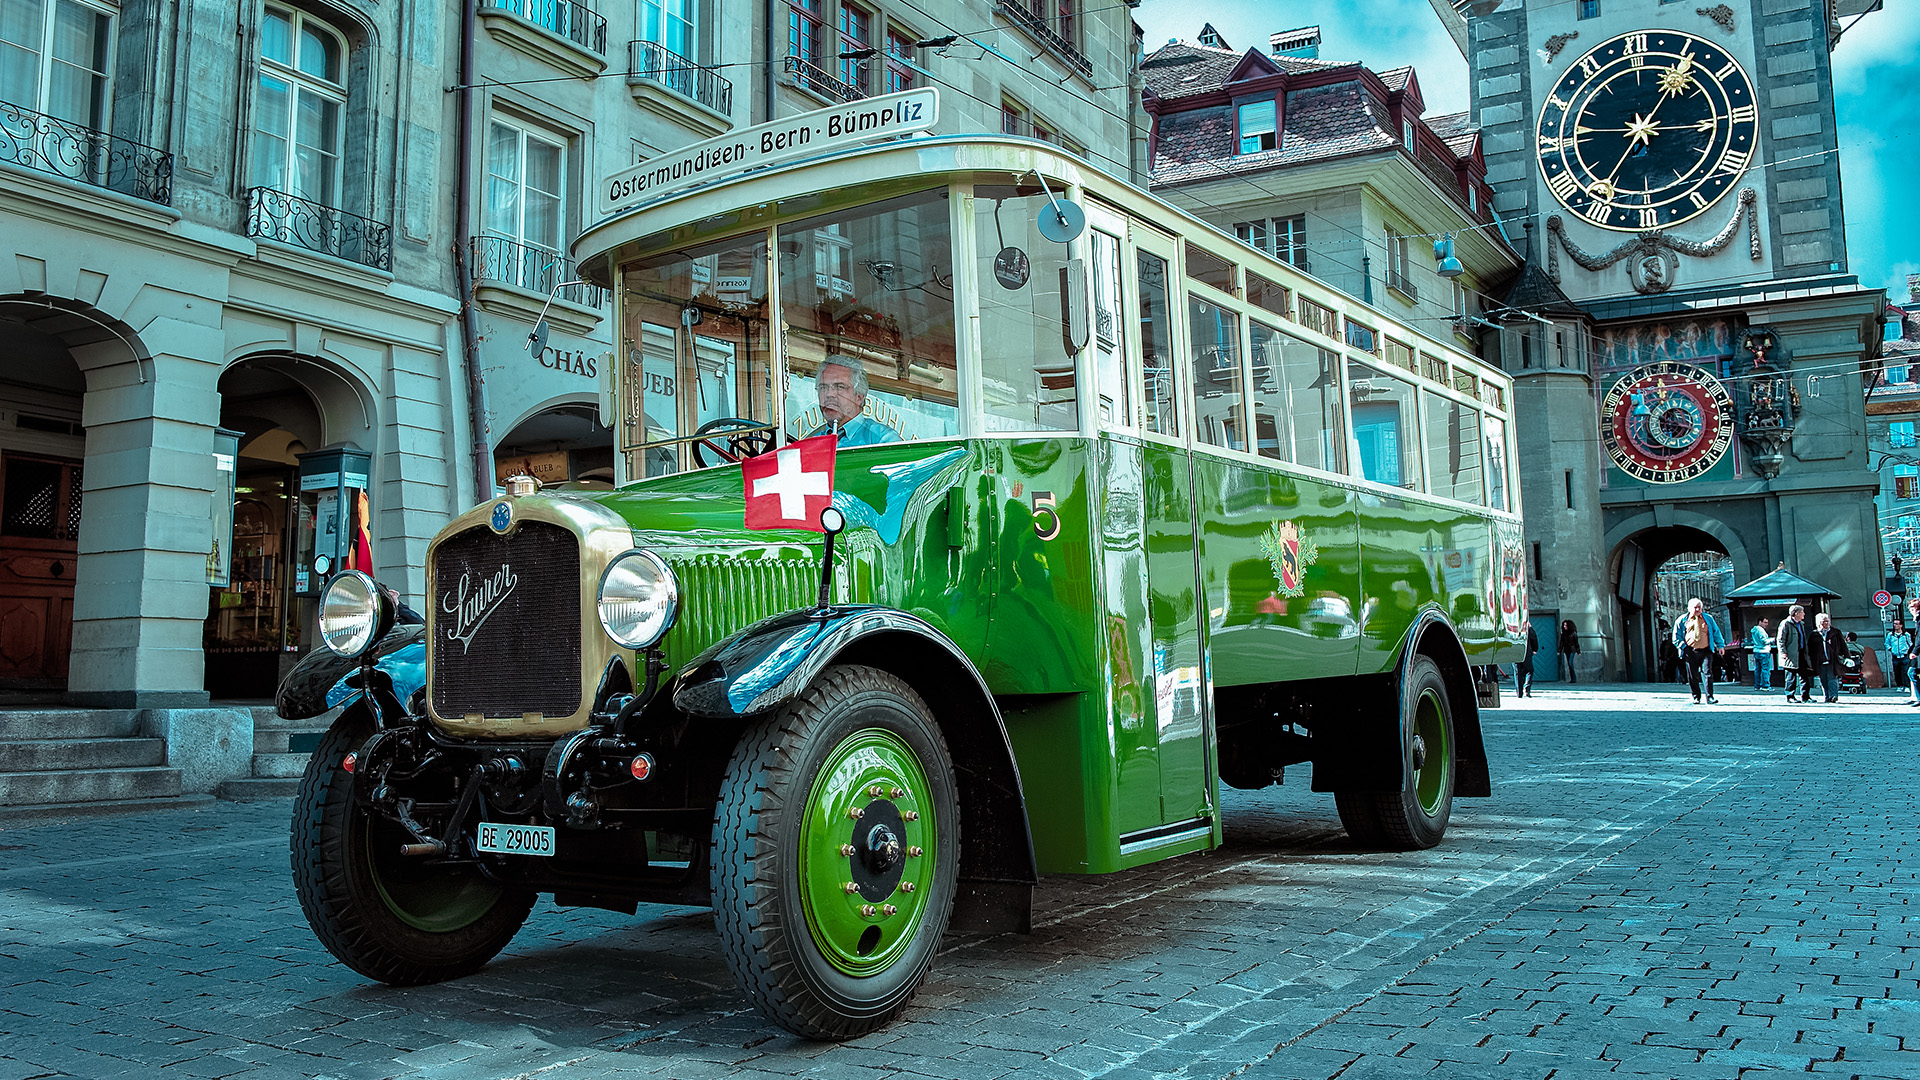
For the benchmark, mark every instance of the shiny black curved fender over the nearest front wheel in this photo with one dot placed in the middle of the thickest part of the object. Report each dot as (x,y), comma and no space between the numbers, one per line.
(775,660)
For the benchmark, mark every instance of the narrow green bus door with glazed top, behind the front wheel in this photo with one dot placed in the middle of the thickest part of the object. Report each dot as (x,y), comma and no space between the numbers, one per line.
(1174,681)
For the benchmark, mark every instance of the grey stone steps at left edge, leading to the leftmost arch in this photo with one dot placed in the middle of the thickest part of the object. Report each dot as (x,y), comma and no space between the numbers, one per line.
(82,760)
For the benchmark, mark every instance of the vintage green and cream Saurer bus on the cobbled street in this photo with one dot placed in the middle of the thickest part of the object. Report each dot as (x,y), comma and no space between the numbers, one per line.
(1128,512)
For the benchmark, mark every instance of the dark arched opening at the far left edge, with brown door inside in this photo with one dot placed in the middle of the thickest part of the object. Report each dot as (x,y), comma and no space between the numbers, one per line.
(41,451)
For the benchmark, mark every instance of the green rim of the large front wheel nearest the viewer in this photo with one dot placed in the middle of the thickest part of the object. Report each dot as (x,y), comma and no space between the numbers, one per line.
(853,931)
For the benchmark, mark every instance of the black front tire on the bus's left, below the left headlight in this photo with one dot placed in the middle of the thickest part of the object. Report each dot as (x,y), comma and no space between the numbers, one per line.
(383,914)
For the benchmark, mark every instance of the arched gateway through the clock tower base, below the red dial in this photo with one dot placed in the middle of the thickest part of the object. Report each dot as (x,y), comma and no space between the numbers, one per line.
(1656,572)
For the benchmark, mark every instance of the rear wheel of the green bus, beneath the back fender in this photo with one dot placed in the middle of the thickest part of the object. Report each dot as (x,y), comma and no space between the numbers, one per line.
(1416,816)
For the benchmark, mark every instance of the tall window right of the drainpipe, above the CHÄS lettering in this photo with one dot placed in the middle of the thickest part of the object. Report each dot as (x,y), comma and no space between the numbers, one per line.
(527,199)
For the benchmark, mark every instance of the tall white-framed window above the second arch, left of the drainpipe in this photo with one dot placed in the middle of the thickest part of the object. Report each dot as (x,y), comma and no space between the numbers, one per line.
(297,109)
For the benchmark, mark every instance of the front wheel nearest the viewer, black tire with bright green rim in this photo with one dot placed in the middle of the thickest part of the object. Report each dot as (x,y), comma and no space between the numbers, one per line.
(836,854)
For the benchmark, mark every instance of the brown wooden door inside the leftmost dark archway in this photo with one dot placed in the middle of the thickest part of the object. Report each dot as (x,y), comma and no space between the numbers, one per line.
(39,545)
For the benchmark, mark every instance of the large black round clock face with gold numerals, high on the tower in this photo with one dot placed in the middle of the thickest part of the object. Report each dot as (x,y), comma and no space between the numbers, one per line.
(1646,132)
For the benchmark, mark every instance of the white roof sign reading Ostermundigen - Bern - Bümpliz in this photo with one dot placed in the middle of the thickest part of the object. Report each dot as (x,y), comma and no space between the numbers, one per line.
(771,145)
